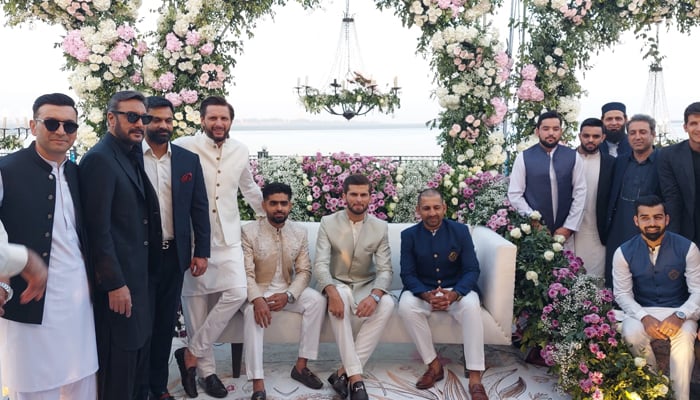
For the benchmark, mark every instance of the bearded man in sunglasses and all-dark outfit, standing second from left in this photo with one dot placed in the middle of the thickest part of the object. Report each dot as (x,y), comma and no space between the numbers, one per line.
(124,237)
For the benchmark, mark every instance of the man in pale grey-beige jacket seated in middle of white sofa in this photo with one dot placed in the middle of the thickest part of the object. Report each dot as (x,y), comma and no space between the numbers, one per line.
(353,268)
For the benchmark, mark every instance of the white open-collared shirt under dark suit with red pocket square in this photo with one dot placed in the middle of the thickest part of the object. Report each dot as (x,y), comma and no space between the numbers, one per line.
(159,172)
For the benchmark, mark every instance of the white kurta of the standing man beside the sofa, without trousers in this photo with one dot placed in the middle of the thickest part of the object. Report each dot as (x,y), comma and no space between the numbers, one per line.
(226,170)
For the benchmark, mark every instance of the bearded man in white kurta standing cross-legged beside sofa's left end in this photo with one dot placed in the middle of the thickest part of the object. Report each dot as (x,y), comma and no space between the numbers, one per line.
(225,166)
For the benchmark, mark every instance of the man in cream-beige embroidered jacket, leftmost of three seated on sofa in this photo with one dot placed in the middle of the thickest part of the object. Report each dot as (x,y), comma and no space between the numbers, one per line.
(278,270)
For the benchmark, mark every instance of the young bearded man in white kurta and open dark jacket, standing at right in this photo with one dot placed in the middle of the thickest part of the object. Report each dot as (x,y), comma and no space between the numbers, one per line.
(590,239)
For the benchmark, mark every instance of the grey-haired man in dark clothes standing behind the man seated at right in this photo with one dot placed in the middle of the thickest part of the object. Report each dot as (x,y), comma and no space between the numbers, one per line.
(635,175)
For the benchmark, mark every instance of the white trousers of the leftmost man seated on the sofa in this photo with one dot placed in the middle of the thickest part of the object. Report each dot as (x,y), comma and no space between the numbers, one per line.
(311,304)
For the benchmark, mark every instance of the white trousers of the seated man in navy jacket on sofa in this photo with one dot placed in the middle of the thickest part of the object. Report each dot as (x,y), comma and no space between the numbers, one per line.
(415,311)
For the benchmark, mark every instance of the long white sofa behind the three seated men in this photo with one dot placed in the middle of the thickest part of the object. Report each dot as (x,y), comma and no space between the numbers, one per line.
(497,280)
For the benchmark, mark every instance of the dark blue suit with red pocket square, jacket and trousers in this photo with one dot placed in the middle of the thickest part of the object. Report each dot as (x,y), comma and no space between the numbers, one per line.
(190,213)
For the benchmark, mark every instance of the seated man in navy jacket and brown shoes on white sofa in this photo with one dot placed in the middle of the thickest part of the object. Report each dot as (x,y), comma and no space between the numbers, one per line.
(440,271)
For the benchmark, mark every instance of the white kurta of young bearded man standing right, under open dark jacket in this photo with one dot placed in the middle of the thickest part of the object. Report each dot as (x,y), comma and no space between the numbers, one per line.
(587,241)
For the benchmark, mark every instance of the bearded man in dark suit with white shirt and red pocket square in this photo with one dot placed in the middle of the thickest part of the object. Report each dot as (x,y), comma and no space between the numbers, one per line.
(176,175)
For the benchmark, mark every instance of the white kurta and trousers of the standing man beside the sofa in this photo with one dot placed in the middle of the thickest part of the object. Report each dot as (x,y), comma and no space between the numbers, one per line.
(209,301)
